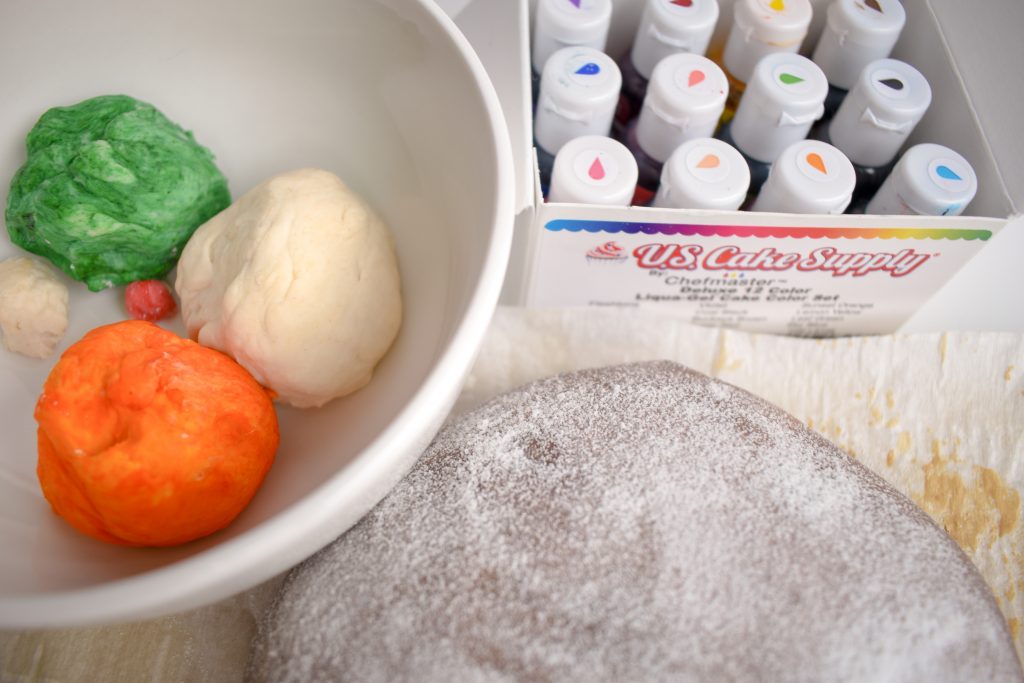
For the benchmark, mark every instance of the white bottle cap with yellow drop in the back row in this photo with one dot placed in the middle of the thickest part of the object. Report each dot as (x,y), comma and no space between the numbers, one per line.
(763,27)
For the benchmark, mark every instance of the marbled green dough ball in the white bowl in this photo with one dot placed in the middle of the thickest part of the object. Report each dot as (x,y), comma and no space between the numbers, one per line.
(112,191)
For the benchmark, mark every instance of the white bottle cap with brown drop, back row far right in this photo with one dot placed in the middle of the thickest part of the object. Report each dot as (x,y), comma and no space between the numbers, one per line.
(857,33)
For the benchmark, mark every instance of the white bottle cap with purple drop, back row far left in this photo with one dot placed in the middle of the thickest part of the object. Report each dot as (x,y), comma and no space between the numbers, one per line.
(562,24)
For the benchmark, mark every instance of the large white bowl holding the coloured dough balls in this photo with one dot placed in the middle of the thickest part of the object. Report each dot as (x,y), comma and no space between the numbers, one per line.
(386,94)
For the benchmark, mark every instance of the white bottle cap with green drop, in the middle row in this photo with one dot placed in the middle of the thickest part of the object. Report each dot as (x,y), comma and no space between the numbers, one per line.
(785,98)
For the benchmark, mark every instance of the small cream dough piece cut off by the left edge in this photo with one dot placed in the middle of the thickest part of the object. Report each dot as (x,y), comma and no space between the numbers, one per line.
(33,307)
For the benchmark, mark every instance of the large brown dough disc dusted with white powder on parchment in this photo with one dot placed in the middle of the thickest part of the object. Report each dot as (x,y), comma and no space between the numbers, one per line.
(638,523)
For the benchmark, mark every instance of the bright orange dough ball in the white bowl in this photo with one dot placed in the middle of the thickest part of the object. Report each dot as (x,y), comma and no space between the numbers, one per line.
(150,440)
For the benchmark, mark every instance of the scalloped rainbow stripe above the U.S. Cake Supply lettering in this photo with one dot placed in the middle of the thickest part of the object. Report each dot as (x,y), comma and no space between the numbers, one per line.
(690,230)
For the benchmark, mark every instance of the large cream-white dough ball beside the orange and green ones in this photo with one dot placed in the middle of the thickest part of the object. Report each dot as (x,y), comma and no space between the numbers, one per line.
(298,282)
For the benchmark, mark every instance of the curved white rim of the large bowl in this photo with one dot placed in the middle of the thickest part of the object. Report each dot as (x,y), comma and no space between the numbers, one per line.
(272,547)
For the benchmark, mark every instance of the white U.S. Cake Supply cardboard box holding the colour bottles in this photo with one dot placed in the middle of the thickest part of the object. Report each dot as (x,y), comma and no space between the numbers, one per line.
(790,274)
